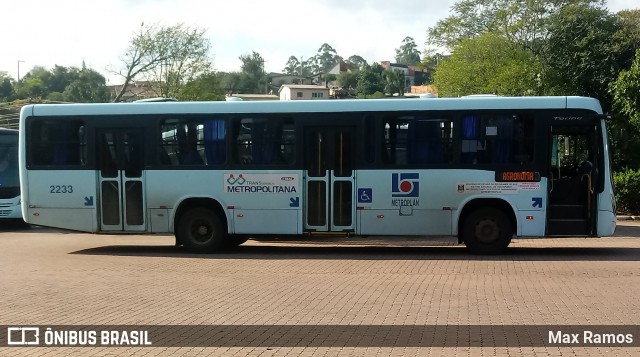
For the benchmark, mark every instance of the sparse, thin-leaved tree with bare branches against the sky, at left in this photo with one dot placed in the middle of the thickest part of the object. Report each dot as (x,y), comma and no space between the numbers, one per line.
(170,56)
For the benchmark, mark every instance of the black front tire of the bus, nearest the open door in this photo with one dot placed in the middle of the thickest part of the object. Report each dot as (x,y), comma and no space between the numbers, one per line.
(487,231)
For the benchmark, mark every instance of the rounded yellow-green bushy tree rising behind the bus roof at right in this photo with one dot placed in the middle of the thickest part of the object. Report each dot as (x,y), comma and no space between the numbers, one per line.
(488,64)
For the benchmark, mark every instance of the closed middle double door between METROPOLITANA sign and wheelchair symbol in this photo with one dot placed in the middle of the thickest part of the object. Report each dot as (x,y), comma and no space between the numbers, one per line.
(330,179)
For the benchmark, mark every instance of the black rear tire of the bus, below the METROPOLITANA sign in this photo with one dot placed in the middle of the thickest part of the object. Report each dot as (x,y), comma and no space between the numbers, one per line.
(201,231)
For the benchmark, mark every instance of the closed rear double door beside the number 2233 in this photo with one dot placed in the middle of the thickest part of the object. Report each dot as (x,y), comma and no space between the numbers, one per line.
(121,179)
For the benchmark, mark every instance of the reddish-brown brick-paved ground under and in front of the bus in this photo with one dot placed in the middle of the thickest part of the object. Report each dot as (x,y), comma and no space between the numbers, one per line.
(354,298)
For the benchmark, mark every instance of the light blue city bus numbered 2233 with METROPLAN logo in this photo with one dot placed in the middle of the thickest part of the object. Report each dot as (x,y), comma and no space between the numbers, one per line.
(483,169)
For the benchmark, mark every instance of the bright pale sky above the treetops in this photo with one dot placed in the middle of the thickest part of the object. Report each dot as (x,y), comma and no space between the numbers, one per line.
(67,32)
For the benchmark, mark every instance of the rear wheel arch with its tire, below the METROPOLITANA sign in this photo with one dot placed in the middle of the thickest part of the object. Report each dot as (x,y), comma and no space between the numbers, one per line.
(200,224)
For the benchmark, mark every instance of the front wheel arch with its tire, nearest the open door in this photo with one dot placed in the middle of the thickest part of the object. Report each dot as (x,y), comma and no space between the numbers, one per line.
(486,226)
